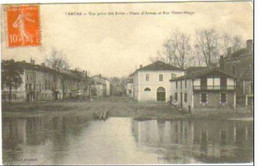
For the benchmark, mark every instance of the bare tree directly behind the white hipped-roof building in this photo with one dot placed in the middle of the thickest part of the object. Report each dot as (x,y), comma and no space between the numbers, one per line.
(177,48)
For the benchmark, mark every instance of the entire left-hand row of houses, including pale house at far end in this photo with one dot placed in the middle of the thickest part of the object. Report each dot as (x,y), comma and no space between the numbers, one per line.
(40,83)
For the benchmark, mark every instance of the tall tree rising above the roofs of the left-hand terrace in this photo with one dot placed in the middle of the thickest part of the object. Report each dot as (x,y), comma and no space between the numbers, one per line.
(57,62)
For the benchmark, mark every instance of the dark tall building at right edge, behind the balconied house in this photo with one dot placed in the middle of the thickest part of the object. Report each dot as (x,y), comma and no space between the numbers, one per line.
(240,64)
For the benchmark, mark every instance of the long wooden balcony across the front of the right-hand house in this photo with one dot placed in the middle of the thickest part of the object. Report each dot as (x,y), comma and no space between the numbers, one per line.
(214,88)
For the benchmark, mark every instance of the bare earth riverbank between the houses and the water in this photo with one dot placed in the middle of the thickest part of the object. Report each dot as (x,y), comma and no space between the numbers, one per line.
(117,107)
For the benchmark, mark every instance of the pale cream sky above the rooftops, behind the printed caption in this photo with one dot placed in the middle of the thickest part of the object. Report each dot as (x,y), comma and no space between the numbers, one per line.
(117,45)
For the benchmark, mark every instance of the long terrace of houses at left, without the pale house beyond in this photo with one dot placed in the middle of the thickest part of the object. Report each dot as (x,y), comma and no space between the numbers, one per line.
(41,83)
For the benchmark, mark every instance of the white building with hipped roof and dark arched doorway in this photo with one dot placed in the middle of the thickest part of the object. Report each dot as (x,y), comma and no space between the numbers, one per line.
(152,82)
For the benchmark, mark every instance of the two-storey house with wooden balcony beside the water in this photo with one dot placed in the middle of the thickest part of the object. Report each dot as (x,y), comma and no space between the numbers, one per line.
(206,88)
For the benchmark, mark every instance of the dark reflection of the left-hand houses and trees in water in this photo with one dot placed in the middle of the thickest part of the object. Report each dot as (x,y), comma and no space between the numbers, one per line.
(24,138)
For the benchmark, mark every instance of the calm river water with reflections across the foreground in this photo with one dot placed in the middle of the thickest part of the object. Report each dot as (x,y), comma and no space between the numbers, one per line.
(78,140)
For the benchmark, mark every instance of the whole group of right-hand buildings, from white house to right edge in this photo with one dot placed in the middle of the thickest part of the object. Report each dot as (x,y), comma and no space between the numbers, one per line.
(225,86)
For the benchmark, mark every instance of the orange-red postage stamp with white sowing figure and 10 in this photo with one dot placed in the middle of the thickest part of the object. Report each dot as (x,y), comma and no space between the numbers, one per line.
(23,25)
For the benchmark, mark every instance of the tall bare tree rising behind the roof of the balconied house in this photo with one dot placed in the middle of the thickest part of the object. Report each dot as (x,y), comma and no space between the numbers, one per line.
(208,45)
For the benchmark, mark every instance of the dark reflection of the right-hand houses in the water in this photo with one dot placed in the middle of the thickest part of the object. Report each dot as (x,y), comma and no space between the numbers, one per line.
(189,141)
